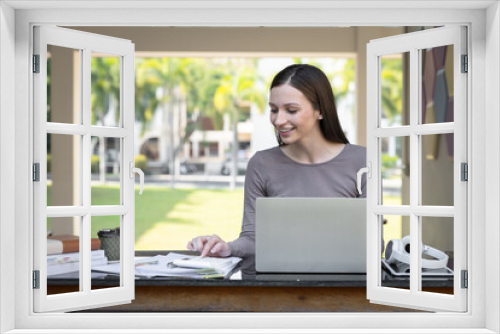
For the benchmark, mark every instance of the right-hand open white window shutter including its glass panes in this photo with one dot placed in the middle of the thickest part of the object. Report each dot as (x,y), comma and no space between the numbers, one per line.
(436,79)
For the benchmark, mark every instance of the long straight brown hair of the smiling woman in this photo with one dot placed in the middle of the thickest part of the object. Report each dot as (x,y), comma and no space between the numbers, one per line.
(315,86)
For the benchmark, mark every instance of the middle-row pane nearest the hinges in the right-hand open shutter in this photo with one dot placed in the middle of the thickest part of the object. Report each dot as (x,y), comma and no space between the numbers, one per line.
(437,170)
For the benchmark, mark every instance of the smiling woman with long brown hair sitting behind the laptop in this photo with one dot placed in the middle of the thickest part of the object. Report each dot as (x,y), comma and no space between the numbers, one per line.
(313,159)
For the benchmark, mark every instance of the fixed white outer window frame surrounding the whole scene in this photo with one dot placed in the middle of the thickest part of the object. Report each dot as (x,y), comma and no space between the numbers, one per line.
(484,103)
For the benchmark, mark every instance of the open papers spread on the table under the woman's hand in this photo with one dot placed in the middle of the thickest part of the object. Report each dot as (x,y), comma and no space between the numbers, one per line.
(162,265)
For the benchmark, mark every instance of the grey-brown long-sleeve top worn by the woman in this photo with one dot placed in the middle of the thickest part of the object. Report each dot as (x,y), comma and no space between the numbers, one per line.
(271,173)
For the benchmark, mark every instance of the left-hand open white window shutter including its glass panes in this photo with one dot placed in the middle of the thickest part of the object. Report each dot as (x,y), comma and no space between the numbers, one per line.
(57,166)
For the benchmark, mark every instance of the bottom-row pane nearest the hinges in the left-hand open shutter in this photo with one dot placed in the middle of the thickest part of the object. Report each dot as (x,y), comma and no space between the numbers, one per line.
(63,255)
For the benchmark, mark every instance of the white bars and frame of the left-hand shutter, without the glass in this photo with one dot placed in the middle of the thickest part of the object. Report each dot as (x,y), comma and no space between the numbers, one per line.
(86,43)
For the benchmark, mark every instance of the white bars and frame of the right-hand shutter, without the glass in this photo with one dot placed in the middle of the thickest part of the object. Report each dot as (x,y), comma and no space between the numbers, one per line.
(414,43)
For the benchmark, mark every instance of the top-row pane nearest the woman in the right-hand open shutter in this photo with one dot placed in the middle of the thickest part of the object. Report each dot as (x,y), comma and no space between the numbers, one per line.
(393,90)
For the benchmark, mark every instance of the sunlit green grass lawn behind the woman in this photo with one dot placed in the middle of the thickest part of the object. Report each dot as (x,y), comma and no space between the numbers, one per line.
(168,218)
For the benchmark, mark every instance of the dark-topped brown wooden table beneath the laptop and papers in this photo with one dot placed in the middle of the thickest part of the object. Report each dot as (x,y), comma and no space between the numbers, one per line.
(344,293)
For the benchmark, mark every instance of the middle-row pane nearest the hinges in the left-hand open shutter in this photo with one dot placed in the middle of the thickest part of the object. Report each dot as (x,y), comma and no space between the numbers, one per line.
(63,170)
